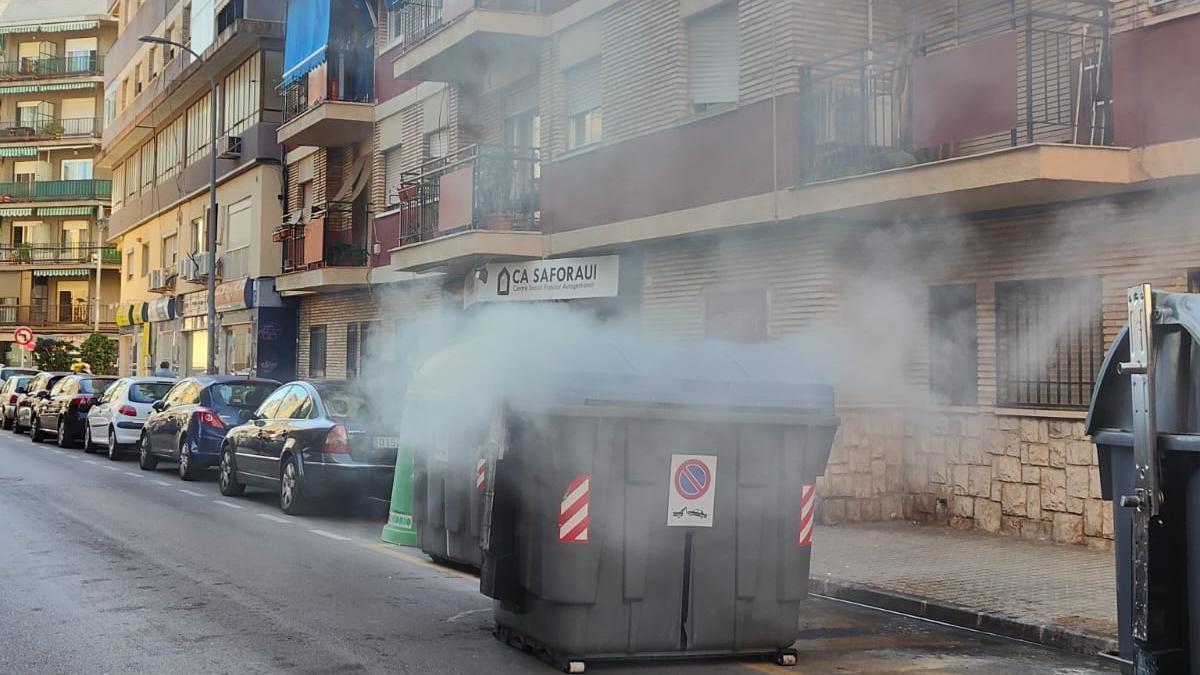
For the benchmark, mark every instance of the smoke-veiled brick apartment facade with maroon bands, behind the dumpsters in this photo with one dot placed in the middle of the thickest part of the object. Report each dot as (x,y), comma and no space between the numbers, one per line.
(946,199)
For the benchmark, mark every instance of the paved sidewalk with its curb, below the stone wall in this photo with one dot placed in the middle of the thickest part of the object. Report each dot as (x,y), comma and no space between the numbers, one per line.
(1051,594)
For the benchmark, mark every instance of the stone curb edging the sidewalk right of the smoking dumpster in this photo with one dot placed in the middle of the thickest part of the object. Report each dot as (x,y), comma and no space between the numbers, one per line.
(1052,636)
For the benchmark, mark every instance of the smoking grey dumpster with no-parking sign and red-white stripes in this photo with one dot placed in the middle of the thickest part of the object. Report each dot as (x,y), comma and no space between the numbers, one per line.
(649,501)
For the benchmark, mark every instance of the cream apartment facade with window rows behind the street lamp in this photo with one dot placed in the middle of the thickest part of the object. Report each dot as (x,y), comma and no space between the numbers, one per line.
(158,145)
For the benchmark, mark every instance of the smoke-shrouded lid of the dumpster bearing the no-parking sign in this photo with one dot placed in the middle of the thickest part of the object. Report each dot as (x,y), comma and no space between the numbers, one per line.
(643,373)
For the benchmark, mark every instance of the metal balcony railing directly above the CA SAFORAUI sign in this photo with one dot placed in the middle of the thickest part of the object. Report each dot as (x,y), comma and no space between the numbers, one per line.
(491,188)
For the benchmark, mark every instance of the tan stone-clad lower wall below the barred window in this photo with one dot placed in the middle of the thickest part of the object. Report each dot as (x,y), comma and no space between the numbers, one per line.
(1023,476)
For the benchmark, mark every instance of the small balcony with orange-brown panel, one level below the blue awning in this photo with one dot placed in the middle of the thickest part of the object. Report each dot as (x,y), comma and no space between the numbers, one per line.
(327,254)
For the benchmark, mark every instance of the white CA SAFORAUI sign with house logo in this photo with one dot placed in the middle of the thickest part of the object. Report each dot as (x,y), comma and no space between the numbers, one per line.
(562,279)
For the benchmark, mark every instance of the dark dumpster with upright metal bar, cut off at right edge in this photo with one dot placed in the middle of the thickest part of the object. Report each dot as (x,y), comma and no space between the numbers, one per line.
(1145,421)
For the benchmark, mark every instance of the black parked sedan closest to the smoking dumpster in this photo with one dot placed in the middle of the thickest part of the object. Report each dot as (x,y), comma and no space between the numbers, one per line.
(311,441)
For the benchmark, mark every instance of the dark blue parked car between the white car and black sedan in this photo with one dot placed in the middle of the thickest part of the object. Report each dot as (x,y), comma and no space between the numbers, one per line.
(193,420)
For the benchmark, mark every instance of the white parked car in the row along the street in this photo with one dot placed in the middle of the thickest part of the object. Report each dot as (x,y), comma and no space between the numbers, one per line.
(116,422)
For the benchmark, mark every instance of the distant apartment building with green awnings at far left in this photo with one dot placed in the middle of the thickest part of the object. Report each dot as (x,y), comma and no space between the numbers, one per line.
(57,276)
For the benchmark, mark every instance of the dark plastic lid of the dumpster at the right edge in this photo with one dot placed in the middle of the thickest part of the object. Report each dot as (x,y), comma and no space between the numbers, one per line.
(1177,375)
